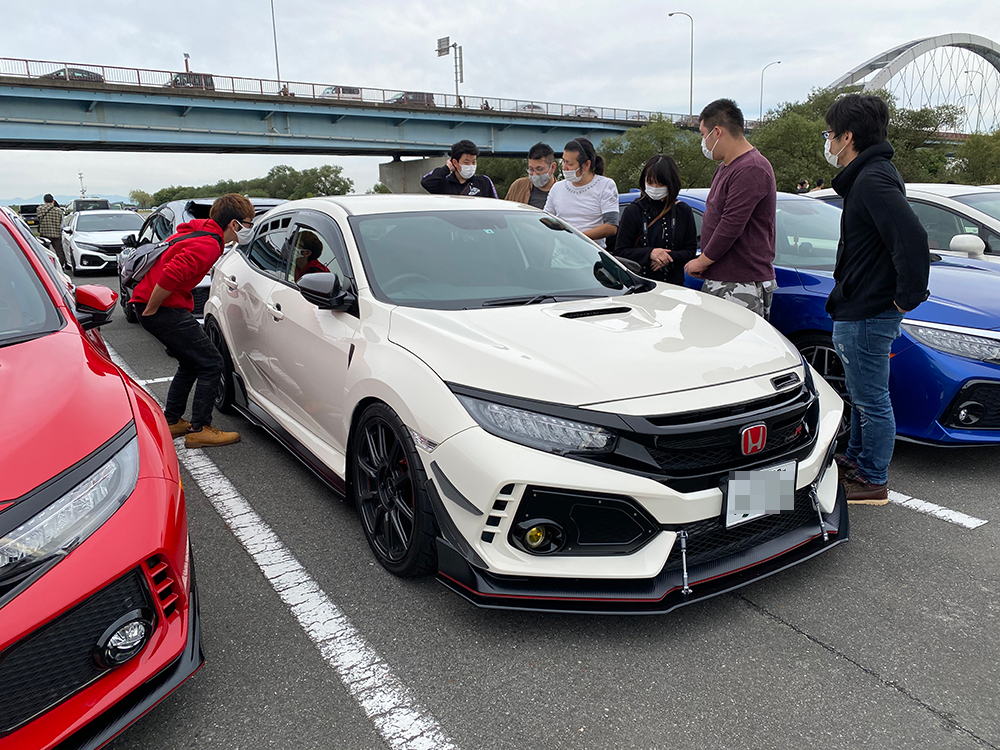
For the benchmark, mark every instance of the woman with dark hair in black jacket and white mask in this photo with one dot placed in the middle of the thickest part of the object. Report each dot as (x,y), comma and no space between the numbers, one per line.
(657,231)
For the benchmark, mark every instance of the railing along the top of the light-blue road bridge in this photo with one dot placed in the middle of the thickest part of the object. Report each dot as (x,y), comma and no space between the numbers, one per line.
(261,87)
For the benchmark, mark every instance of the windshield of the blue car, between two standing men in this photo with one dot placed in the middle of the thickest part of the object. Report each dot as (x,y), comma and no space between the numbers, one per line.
(807,234)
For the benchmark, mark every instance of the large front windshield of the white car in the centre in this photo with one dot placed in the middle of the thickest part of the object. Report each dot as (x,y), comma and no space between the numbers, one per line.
(450,260)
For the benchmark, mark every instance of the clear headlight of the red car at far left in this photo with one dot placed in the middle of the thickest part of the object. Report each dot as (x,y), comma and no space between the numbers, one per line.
(73,517)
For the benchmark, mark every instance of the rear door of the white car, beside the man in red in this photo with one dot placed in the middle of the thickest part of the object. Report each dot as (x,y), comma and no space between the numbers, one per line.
(247,279)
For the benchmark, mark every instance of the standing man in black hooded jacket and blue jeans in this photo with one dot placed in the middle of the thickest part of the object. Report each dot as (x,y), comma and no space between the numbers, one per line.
(882,267)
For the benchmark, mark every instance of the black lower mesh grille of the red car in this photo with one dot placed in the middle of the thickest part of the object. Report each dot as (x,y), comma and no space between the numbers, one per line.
(57,660)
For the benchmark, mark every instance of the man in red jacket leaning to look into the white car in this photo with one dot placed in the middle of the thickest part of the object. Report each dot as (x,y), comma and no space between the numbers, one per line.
(164,303)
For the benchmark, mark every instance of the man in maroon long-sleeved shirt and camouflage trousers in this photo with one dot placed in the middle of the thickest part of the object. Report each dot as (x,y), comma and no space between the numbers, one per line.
(737,235)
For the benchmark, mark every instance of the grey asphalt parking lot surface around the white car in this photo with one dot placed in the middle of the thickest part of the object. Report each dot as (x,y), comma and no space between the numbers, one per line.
(890,641)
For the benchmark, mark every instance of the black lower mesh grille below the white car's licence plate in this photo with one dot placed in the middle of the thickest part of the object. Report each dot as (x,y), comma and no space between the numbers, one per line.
(710,540)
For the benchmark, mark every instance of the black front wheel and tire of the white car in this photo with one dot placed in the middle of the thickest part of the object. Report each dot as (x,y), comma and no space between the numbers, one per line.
(388,491)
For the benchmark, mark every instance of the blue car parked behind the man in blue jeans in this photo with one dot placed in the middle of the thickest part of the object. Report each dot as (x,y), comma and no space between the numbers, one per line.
(945,370)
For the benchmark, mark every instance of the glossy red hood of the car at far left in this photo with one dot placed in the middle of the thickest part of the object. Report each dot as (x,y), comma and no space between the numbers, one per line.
(60,401)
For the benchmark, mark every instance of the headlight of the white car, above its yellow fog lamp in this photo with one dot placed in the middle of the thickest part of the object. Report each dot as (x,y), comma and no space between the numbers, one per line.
(539,430)
